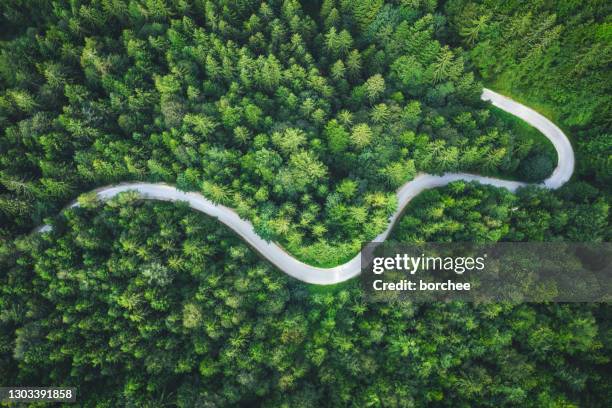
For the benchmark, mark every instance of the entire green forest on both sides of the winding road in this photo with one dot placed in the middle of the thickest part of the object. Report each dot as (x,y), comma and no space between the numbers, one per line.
(305,117)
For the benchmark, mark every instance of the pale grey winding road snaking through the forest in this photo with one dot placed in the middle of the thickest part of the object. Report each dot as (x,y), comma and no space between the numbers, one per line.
(326,276)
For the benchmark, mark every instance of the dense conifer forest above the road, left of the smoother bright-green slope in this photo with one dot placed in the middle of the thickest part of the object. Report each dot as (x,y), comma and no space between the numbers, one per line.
(306,124)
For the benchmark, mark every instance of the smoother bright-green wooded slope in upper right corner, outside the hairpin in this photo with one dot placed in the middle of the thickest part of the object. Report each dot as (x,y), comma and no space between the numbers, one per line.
(555,55)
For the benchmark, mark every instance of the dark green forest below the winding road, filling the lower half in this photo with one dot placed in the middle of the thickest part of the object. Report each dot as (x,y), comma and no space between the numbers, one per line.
(145,304)
